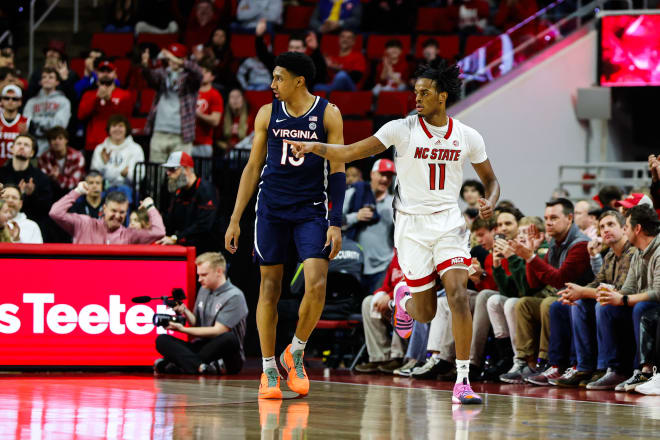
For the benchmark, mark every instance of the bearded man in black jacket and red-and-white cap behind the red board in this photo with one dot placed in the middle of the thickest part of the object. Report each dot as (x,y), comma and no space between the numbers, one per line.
(192,215)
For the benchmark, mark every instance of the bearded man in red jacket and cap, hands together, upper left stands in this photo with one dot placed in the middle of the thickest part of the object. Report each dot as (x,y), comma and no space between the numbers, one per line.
(98,105)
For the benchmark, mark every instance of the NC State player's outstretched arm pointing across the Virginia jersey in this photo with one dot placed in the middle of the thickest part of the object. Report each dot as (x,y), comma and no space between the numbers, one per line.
(339,153)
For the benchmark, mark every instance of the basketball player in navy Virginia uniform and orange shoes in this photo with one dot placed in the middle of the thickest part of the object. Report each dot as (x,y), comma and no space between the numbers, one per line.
(292,203)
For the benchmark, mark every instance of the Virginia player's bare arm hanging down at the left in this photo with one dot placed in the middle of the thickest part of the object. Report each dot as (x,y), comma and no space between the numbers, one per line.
(249,177)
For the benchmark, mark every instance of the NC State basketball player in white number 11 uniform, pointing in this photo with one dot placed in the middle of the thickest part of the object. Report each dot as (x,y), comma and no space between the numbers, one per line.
(430,233)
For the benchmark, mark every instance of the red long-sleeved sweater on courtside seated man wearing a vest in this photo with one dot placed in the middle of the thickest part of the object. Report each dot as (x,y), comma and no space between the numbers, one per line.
(541,273)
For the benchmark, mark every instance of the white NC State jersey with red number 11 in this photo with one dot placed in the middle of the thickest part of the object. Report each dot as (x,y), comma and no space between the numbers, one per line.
(429,162)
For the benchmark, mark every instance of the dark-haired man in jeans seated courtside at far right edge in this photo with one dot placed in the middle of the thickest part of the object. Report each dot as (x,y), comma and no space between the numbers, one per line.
(641,291)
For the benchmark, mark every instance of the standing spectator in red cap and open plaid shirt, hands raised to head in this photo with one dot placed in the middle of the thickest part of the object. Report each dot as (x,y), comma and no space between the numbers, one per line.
(173,112)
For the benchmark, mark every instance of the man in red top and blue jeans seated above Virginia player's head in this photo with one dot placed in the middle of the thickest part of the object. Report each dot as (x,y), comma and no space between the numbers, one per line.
(349,66)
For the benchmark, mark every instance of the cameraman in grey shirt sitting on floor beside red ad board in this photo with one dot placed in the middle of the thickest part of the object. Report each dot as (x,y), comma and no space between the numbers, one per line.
(217,325)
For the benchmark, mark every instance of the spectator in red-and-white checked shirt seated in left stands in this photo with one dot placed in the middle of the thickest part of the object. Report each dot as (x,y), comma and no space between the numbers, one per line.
(61,163)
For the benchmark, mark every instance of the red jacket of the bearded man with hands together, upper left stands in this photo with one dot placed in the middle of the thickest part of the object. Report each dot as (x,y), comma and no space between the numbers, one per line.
(97,111)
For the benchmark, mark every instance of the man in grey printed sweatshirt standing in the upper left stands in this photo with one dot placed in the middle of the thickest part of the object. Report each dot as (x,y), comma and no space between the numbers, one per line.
(50,108)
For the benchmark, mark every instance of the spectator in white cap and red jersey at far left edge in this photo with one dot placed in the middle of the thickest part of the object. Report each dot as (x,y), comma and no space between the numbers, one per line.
(12,123)
